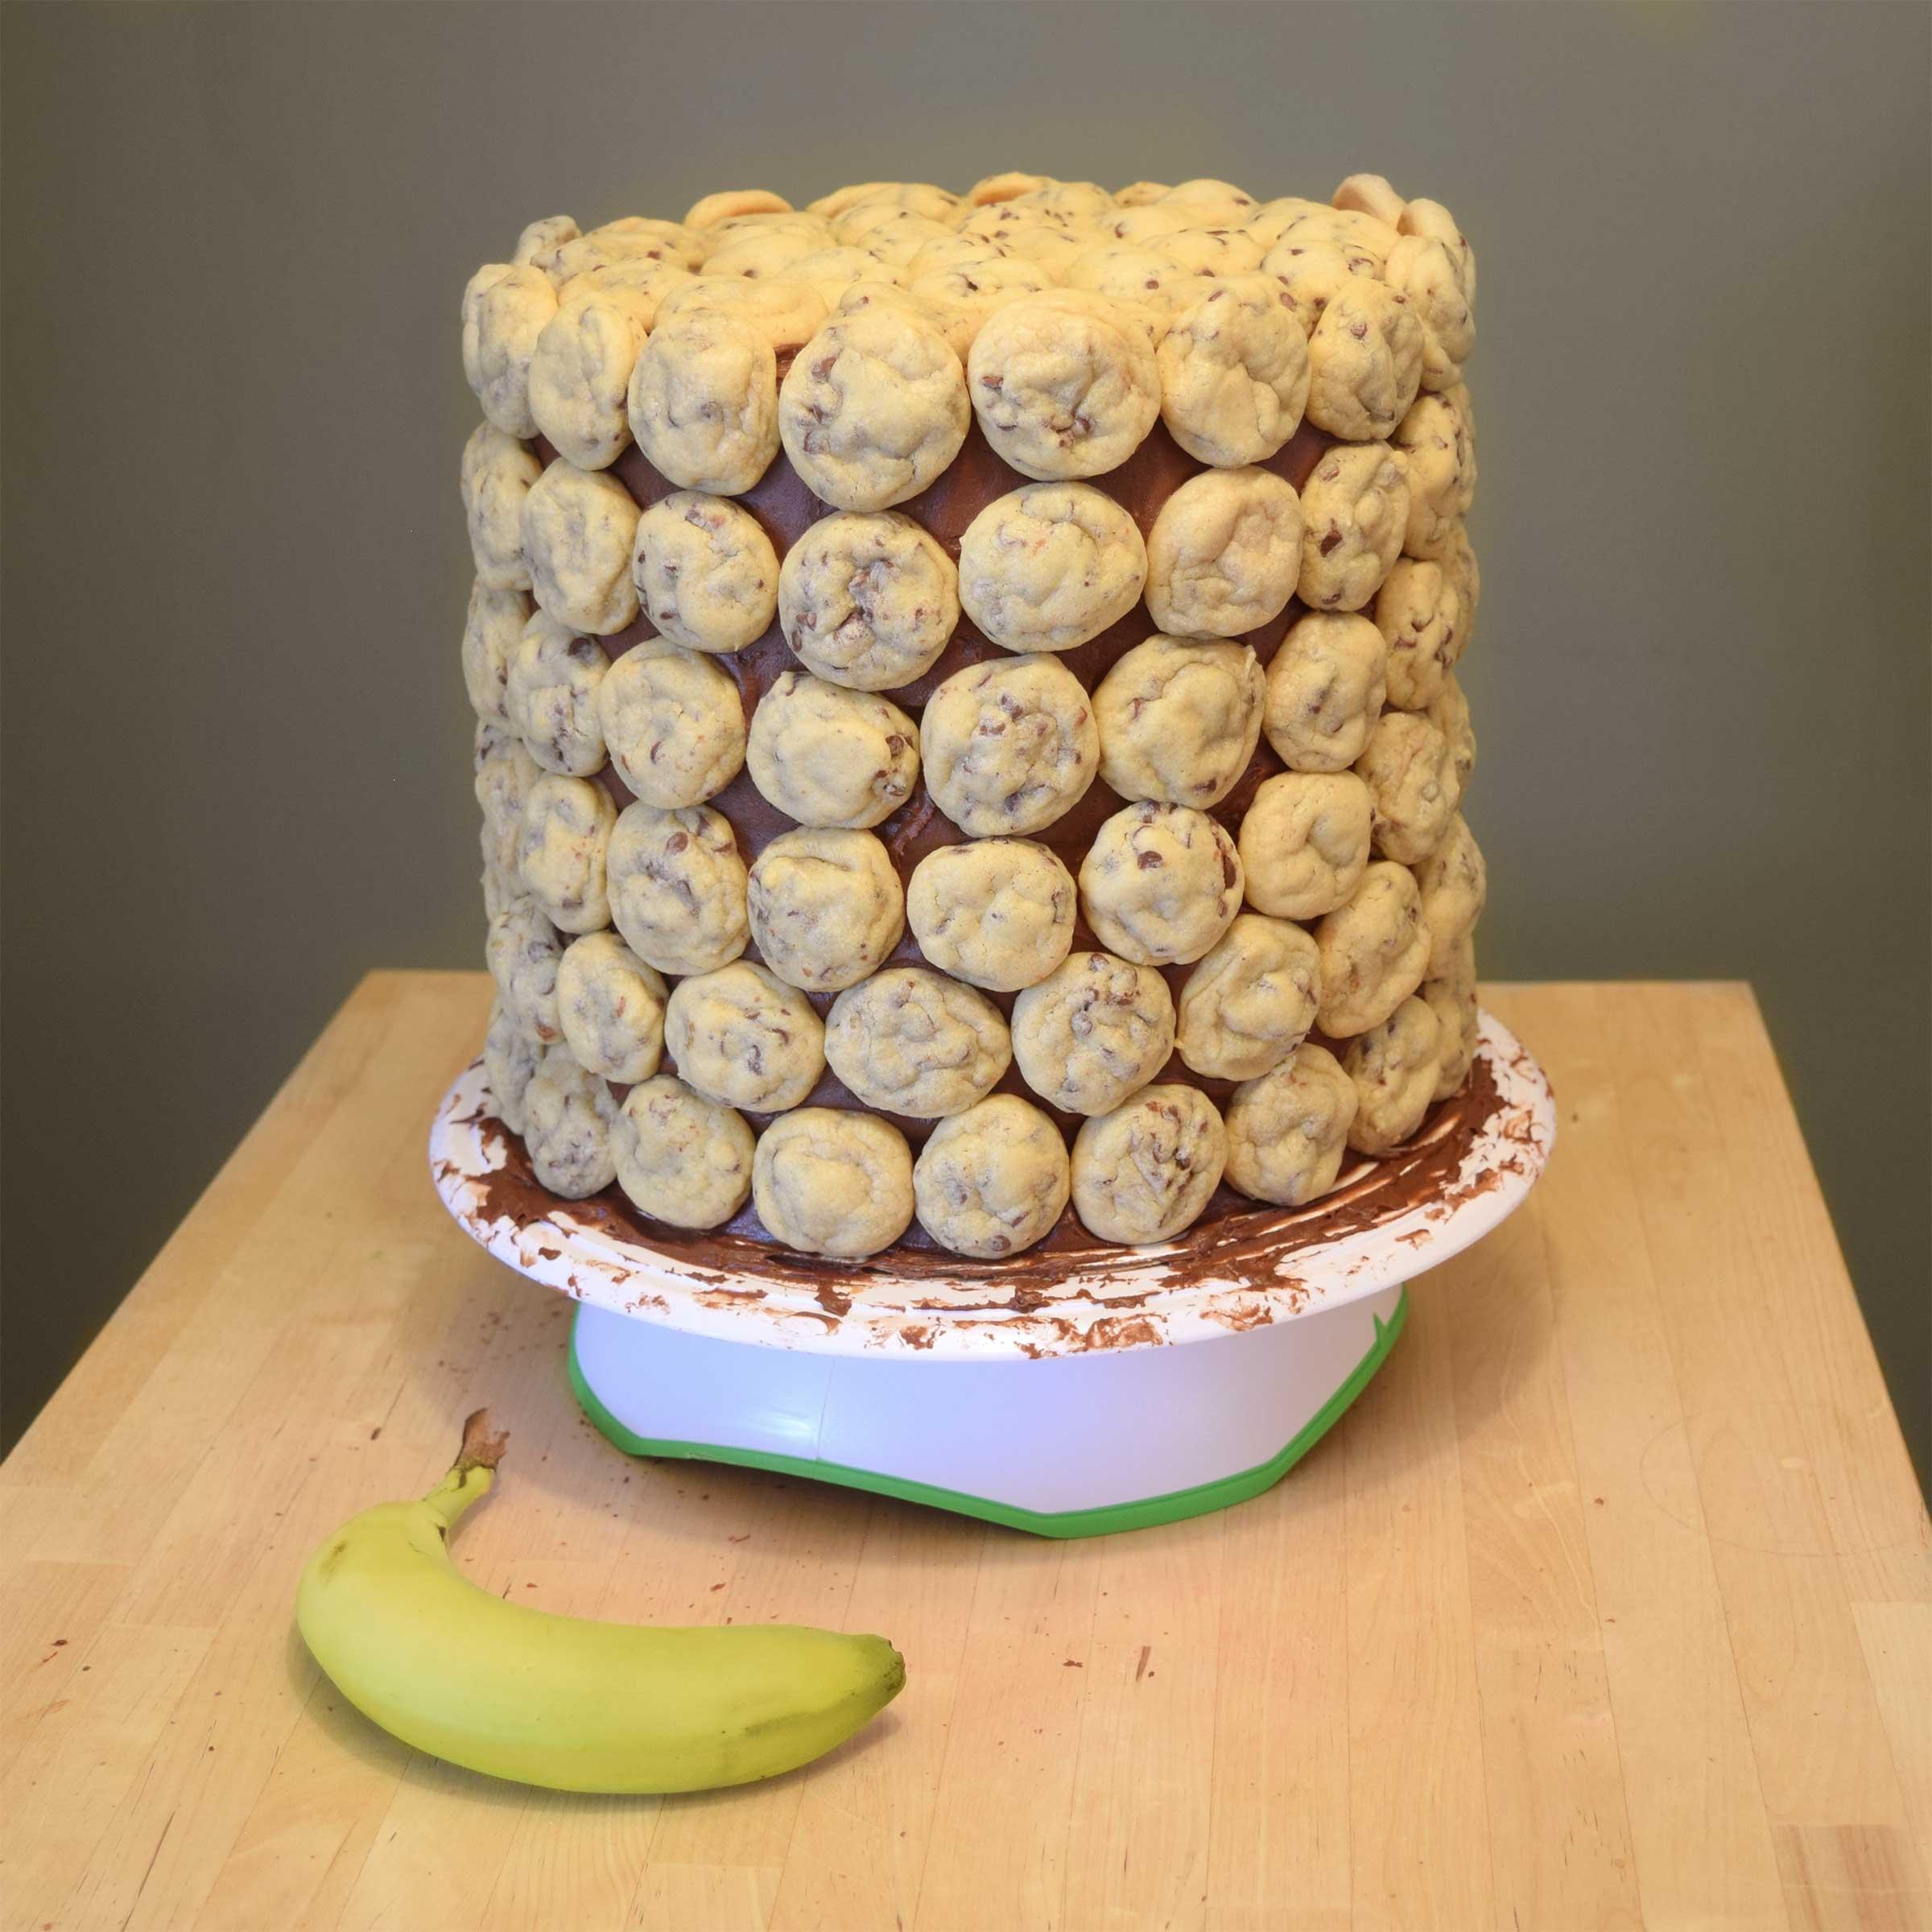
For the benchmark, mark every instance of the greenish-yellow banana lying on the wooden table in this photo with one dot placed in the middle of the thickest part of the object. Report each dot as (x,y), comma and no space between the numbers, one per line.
(563,1701)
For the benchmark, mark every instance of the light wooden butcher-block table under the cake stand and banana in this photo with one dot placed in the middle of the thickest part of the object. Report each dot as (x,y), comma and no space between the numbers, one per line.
(1606,1606)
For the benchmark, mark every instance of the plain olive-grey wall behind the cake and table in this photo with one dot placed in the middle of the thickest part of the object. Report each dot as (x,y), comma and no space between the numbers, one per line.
(235,575)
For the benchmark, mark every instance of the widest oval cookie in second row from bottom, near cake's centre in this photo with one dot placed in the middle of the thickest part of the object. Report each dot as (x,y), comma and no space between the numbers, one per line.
(919,1044)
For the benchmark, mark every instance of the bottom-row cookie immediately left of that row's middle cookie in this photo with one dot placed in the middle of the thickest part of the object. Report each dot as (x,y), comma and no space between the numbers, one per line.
(838,1183)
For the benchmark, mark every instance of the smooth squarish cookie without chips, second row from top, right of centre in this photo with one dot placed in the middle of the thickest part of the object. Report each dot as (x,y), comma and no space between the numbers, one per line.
(1224,554)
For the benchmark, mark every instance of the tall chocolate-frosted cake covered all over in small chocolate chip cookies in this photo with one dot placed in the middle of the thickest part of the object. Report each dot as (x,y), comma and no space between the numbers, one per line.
(969,735)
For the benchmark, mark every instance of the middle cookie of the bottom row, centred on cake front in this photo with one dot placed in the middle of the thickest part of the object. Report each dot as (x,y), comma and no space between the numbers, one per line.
(994,1179)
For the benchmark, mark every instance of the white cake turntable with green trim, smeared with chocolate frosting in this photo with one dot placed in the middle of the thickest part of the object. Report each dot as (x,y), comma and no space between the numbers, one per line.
(1067,1398)
